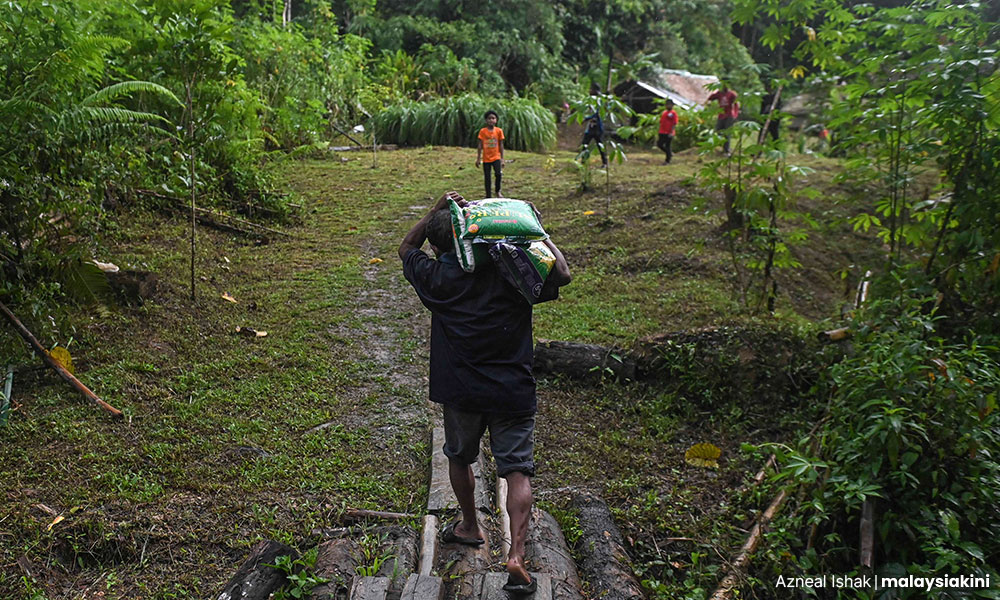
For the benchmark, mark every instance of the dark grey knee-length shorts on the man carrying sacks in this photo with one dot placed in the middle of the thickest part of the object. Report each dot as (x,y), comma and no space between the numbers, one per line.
(512,439)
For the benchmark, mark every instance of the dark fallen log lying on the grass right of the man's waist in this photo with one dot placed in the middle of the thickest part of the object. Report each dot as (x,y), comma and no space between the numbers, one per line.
(583,361)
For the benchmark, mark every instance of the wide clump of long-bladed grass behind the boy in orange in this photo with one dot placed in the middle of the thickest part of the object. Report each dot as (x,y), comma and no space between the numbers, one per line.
(456,122)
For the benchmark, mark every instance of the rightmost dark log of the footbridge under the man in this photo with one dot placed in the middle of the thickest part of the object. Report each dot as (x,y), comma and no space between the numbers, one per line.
(605,563)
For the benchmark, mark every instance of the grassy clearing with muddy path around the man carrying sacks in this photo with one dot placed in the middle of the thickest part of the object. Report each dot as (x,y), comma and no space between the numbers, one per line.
(218,452)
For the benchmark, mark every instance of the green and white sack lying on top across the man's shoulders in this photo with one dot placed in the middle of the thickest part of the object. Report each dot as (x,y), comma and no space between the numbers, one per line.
(490,221)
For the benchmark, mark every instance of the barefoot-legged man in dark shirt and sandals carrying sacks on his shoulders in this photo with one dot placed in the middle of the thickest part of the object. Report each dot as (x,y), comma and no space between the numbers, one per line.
(481,372)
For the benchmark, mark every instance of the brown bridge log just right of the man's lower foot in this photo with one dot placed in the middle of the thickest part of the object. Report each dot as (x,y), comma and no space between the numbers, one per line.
(546,552)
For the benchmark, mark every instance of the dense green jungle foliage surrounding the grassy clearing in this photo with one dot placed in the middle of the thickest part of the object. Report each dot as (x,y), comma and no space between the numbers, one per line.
(101,101)
